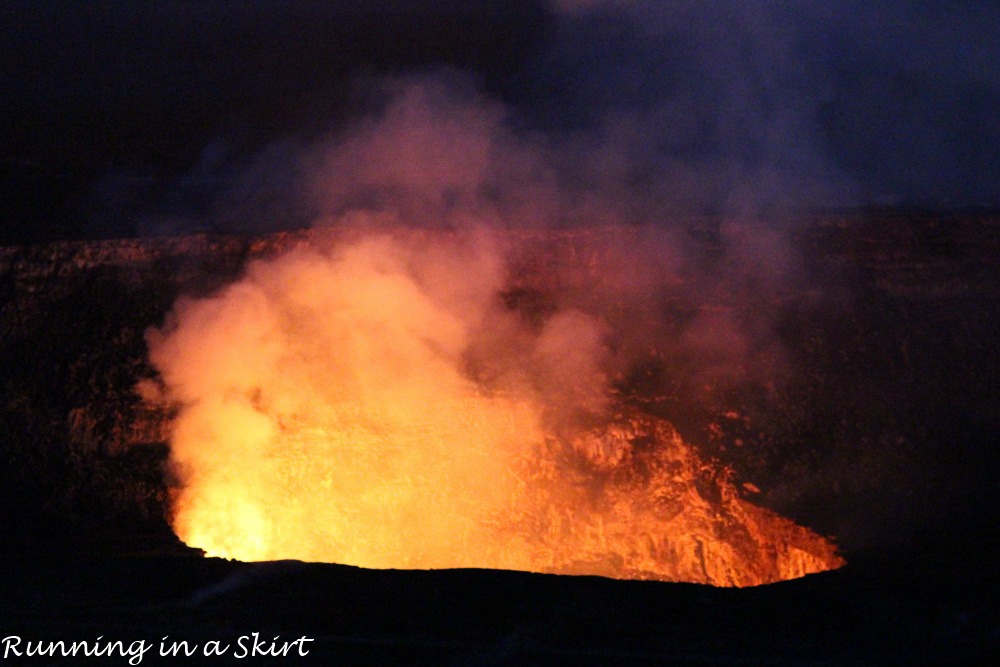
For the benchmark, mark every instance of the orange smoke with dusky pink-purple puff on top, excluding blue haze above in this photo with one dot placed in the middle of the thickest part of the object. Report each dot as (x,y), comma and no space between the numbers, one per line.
(400,373)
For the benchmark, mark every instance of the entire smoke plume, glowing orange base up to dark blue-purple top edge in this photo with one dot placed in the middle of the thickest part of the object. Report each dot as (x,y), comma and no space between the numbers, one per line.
(403,339)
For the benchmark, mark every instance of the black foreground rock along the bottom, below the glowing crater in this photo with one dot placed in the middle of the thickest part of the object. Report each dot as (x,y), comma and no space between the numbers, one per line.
(866,613)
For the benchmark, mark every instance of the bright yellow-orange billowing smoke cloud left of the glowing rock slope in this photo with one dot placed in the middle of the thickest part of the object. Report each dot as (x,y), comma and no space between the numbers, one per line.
(386,369)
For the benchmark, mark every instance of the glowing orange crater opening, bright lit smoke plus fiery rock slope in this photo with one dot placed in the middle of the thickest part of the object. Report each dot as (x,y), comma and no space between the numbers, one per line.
(379,403)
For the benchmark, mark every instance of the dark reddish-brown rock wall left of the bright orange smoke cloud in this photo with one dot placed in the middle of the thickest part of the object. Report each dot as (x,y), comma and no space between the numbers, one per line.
(80,451)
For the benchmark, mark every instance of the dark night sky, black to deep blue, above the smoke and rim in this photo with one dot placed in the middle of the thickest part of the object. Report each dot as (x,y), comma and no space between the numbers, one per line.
(115,109)
